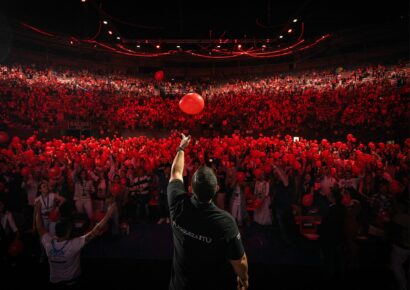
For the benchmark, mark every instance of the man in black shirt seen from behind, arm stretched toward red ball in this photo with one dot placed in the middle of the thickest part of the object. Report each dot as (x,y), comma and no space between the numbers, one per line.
(204,235)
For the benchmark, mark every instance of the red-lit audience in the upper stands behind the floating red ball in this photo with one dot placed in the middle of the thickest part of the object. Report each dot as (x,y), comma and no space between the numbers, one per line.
(373,97)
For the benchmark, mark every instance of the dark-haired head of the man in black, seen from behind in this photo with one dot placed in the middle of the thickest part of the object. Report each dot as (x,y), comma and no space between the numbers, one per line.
(204,184)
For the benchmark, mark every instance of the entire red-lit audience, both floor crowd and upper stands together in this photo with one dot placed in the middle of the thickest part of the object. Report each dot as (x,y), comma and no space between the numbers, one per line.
(353,189)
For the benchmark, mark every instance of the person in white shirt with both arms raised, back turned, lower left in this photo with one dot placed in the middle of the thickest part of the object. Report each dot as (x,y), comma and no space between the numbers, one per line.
(63,252)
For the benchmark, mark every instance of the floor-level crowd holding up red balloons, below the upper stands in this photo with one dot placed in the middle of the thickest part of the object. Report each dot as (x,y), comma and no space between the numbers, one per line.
(270,177)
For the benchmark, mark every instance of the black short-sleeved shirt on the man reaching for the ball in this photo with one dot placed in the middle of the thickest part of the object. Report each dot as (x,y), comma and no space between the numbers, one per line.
(204,238)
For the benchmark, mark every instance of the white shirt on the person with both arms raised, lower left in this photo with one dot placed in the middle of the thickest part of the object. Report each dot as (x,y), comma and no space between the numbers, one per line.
(63,257)
